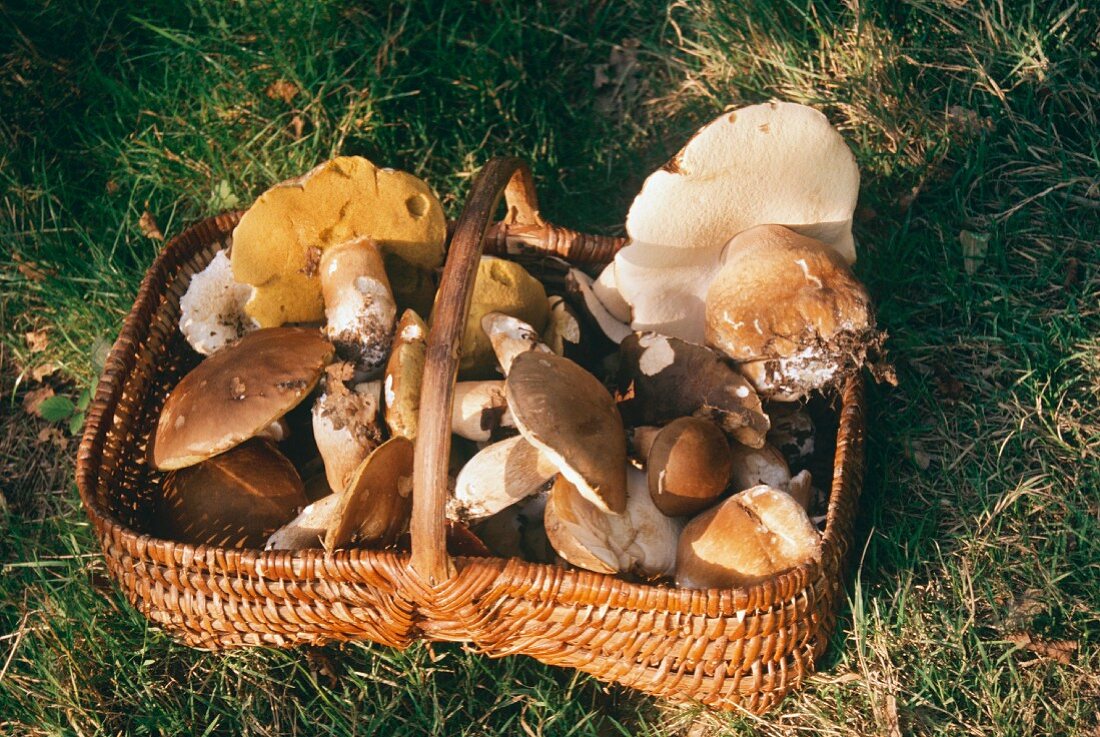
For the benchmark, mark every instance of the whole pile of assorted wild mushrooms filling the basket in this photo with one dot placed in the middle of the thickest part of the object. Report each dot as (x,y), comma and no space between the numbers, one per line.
(643,423)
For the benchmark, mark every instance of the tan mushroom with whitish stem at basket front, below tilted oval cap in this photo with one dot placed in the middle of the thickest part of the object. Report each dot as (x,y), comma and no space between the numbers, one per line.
(642,541)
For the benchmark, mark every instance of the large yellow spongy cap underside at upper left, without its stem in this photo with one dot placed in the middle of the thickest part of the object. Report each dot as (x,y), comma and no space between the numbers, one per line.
(279,245)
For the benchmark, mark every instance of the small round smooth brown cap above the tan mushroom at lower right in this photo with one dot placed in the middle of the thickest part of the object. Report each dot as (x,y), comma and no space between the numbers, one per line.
(688,467)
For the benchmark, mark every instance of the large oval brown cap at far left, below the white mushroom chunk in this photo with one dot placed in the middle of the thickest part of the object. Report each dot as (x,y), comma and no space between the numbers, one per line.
(237,393)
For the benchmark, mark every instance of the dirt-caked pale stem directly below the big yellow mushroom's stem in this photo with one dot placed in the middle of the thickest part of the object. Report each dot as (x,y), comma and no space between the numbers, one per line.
(346,423)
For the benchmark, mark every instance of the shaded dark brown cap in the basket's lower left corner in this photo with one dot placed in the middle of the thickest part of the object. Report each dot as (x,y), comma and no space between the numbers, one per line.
(235,500)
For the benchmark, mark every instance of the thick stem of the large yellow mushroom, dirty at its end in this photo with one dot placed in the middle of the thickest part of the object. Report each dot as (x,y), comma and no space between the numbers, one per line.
(359,305)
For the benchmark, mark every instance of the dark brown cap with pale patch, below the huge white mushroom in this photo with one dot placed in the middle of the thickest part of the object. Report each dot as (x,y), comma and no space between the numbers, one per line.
(662,379)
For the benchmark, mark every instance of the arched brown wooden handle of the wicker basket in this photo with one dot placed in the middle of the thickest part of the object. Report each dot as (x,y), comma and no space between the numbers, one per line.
(511,178)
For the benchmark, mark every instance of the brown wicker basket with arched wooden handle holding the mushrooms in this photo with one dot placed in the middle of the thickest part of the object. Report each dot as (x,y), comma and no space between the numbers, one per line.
(725,648)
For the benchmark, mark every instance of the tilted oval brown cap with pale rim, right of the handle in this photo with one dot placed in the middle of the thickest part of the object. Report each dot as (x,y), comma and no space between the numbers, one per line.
(565,412)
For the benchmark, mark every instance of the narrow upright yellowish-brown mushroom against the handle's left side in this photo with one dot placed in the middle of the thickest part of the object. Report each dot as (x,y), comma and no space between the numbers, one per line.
(404,375)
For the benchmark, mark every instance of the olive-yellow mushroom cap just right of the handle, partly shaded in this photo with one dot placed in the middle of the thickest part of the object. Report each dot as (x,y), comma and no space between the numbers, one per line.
(500,287)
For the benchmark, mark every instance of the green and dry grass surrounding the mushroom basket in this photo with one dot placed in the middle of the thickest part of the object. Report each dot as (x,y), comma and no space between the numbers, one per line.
(976,603)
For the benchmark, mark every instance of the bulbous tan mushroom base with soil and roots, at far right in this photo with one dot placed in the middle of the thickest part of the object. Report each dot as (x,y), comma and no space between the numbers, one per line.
(788,311)
